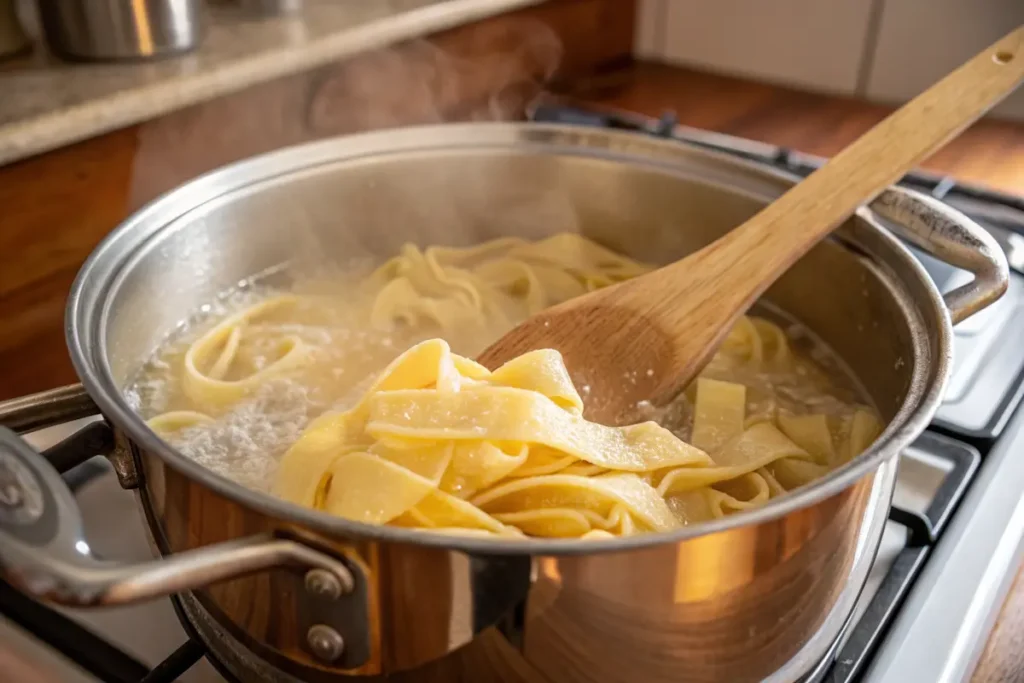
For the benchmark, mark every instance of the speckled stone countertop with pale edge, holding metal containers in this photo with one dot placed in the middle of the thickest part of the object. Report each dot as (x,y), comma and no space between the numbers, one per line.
(47,104)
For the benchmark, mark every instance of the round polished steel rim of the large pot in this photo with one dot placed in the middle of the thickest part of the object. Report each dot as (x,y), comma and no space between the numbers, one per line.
(87,338)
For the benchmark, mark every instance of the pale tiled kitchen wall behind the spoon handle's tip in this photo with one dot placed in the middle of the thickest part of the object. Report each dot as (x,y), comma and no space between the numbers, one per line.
(884,51)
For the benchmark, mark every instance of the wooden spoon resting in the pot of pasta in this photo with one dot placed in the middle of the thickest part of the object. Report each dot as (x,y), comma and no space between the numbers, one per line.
(648,338)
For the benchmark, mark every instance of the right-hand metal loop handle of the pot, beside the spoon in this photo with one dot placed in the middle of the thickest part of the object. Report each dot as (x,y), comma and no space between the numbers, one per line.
(951,237)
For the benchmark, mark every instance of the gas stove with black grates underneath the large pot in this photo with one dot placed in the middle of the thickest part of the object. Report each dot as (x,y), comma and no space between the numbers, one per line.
(949,553)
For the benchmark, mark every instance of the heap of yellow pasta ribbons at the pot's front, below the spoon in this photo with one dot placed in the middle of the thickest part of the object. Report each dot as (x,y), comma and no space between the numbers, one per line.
(440,443)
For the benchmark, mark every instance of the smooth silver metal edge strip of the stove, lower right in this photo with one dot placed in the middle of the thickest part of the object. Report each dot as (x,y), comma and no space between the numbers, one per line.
(944,626)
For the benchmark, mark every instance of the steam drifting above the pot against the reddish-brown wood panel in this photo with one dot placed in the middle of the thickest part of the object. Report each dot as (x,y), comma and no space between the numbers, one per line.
(489,73)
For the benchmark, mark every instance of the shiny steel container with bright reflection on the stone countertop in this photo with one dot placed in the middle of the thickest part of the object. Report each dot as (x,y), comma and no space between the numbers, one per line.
(108,30)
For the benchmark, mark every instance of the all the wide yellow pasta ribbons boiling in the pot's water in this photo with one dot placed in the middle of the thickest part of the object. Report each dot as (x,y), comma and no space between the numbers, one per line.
(287,396)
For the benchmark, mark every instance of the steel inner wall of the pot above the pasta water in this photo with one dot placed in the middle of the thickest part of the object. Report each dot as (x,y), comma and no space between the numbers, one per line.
(363,198)
